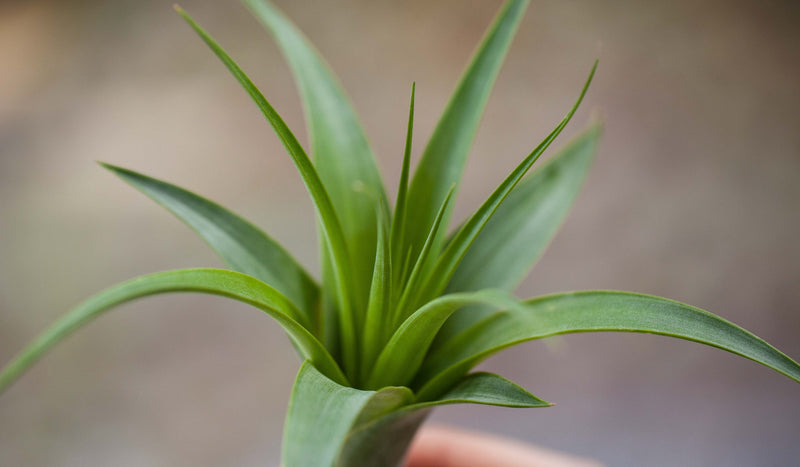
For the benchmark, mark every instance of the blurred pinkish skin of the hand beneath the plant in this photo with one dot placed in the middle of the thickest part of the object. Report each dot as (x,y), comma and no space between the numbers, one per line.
(448,447)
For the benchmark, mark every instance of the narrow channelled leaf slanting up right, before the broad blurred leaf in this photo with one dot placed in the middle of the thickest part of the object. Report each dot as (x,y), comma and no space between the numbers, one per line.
(441,273)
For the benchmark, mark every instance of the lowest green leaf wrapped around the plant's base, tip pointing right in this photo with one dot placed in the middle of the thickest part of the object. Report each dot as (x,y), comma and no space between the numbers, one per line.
(331,425)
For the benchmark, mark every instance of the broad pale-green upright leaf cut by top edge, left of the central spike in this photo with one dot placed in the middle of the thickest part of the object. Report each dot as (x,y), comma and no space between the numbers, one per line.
(340,149)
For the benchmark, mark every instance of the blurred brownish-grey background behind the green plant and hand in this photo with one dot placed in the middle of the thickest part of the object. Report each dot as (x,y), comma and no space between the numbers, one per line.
(693,196)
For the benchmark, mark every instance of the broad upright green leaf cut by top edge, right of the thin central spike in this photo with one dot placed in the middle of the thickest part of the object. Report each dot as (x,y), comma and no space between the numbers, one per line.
(443,160)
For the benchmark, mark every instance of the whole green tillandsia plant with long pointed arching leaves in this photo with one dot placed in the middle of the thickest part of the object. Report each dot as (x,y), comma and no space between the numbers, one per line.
(404,311)
